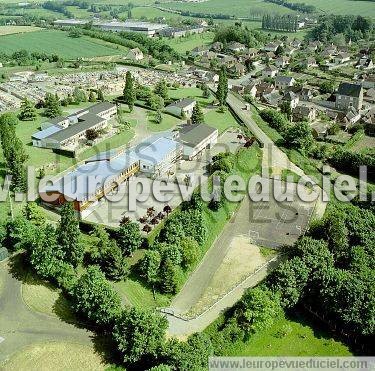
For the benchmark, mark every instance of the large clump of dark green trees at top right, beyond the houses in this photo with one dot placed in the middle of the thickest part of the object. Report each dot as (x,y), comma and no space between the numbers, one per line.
(351,27)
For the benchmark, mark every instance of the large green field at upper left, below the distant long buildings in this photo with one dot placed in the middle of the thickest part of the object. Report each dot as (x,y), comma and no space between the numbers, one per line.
(56,42)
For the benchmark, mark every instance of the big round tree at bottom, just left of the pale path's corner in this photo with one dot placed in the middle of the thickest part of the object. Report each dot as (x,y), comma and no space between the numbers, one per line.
(139,334)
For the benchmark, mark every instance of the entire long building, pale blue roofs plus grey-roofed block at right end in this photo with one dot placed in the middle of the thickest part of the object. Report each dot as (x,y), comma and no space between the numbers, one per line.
(86,185)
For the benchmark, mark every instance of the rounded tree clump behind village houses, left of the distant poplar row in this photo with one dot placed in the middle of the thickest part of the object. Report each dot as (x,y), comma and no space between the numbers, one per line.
(237,33)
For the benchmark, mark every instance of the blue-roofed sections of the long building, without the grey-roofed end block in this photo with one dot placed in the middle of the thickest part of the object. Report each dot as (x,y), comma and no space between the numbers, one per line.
(104,172)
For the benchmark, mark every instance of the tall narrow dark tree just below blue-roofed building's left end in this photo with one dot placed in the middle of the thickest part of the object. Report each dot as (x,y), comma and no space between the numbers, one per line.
(68,235)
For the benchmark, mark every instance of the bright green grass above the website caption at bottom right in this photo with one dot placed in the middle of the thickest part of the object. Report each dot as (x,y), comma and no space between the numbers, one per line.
(295,336)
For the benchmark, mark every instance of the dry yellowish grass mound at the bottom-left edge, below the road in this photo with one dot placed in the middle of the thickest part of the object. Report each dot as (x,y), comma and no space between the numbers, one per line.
(58,356)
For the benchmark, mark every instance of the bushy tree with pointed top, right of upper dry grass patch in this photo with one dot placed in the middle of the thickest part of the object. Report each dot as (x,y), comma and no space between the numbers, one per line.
(95,299)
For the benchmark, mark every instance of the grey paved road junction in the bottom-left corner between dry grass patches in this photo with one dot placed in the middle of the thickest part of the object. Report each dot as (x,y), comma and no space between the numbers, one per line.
(20,327)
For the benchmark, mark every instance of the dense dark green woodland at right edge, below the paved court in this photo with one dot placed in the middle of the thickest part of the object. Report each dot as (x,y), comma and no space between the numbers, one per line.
(332,270)
